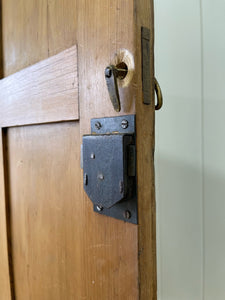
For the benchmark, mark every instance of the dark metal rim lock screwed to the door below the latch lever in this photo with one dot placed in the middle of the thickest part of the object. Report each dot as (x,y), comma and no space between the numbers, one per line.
(109,167)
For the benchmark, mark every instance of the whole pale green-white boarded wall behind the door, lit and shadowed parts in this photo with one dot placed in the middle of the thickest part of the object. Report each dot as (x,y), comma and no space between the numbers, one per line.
(190,149)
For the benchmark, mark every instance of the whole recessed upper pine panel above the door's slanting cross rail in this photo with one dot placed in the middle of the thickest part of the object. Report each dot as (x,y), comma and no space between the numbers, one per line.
(34,30)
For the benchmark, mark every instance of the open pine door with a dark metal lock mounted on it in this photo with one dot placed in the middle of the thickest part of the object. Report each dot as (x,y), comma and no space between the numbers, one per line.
(52,244)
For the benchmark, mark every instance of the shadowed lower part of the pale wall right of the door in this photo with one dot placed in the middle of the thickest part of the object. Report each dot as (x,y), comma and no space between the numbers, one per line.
(183,206)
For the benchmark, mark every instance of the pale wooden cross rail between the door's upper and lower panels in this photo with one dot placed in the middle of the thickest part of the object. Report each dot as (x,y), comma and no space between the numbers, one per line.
(42,93)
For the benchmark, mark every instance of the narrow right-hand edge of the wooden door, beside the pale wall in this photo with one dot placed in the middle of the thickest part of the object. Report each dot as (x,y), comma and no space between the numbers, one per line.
(145,118)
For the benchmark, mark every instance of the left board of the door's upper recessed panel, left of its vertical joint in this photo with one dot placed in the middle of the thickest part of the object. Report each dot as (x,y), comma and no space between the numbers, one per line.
(25,33)
